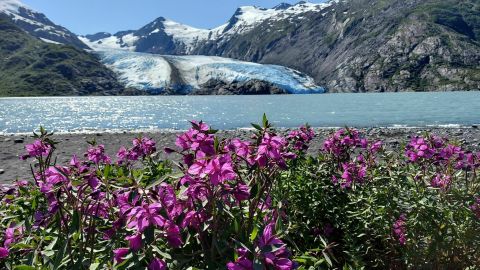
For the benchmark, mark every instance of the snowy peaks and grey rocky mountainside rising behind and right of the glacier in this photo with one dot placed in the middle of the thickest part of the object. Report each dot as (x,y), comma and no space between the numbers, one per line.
(348,46)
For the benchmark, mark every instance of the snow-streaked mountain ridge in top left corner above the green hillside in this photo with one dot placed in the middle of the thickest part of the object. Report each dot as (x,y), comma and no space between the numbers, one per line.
(37,24)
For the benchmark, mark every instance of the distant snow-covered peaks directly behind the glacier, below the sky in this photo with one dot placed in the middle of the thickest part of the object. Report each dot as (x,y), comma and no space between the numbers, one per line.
(164,36)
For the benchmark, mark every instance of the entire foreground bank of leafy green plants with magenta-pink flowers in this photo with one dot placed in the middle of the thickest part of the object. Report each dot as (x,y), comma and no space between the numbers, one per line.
(235,204)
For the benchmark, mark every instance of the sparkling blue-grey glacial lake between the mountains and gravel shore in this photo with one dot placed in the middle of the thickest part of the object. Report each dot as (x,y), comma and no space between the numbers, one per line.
(149,113)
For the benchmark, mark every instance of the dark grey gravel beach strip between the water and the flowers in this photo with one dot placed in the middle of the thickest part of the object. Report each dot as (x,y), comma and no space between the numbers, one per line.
(11,146)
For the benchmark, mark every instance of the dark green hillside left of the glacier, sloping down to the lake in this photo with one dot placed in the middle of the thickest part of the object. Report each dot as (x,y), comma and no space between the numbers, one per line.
(31,67)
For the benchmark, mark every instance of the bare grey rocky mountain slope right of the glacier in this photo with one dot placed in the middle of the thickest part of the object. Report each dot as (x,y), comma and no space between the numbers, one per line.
(361,45)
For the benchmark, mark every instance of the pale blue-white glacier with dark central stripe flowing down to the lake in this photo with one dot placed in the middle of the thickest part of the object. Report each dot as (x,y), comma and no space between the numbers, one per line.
(155,73)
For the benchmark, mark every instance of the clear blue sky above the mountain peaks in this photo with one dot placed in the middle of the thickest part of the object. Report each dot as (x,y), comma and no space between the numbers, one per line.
(92,16)
